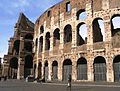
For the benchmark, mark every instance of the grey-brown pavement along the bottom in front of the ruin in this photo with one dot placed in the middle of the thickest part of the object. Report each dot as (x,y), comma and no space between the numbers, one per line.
(21,85)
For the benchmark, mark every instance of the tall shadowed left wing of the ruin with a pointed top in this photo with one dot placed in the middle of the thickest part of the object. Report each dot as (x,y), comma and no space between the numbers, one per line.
(20,47)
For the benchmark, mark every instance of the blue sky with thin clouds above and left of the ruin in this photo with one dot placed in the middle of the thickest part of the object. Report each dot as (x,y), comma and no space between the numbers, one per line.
(9,13)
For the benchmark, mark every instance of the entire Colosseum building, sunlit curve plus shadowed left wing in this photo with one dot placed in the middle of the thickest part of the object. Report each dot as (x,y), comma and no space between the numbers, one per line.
(77,37)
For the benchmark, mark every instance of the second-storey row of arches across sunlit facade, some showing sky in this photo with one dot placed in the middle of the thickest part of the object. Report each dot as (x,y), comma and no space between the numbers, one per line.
(82,32)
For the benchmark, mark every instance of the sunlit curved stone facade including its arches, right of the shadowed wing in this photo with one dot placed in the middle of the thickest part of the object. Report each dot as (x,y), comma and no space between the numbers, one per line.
(99,46)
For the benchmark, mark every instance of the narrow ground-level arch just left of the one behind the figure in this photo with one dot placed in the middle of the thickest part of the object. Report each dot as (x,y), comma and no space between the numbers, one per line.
(55,70)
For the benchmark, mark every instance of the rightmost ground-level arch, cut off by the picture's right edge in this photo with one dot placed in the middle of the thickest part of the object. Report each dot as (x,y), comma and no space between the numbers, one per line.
(116,68)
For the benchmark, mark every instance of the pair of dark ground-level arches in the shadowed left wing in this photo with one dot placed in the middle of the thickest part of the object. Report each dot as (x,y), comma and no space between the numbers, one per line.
(28,66)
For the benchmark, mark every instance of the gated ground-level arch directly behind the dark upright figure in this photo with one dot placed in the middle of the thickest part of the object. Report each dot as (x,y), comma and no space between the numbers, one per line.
(67,69)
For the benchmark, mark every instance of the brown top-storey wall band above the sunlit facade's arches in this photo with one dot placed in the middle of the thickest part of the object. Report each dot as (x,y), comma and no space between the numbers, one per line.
(60,8)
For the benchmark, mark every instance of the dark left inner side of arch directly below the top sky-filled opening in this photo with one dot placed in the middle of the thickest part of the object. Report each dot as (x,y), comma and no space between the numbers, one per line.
(80,40)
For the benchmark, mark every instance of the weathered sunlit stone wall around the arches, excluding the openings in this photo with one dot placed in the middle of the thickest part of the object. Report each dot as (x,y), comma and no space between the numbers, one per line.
(59,18)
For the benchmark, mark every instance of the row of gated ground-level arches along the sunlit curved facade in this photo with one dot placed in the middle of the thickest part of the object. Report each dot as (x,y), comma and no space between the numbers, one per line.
(99,69)
